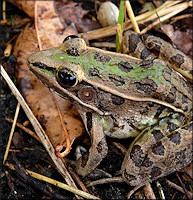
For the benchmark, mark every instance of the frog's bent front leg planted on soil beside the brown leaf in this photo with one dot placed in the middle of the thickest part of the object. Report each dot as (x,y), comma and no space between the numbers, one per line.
(98,150)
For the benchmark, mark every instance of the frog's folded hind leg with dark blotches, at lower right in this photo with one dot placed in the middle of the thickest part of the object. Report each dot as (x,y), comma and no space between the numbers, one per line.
(165,156)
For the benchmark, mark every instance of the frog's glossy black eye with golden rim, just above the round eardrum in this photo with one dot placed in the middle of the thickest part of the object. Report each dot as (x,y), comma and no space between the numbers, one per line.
(66,78)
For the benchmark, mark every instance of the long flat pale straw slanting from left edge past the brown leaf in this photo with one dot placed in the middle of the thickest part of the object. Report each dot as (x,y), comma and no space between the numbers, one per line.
(39,130)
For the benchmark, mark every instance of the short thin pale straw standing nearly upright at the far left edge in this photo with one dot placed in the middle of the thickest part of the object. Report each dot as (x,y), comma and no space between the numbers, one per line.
(11,133)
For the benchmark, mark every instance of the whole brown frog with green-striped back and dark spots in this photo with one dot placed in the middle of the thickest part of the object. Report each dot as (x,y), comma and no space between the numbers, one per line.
(147,97)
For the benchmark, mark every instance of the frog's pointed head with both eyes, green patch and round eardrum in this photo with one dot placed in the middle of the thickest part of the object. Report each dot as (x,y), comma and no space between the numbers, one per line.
(59,71)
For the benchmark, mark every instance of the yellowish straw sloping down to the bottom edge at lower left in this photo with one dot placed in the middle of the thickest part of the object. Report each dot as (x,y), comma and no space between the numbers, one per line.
(57,183)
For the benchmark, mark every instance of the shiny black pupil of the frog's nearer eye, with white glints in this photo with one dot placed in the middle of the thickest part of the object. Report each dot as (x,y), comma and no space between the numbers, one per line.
(66,79)
